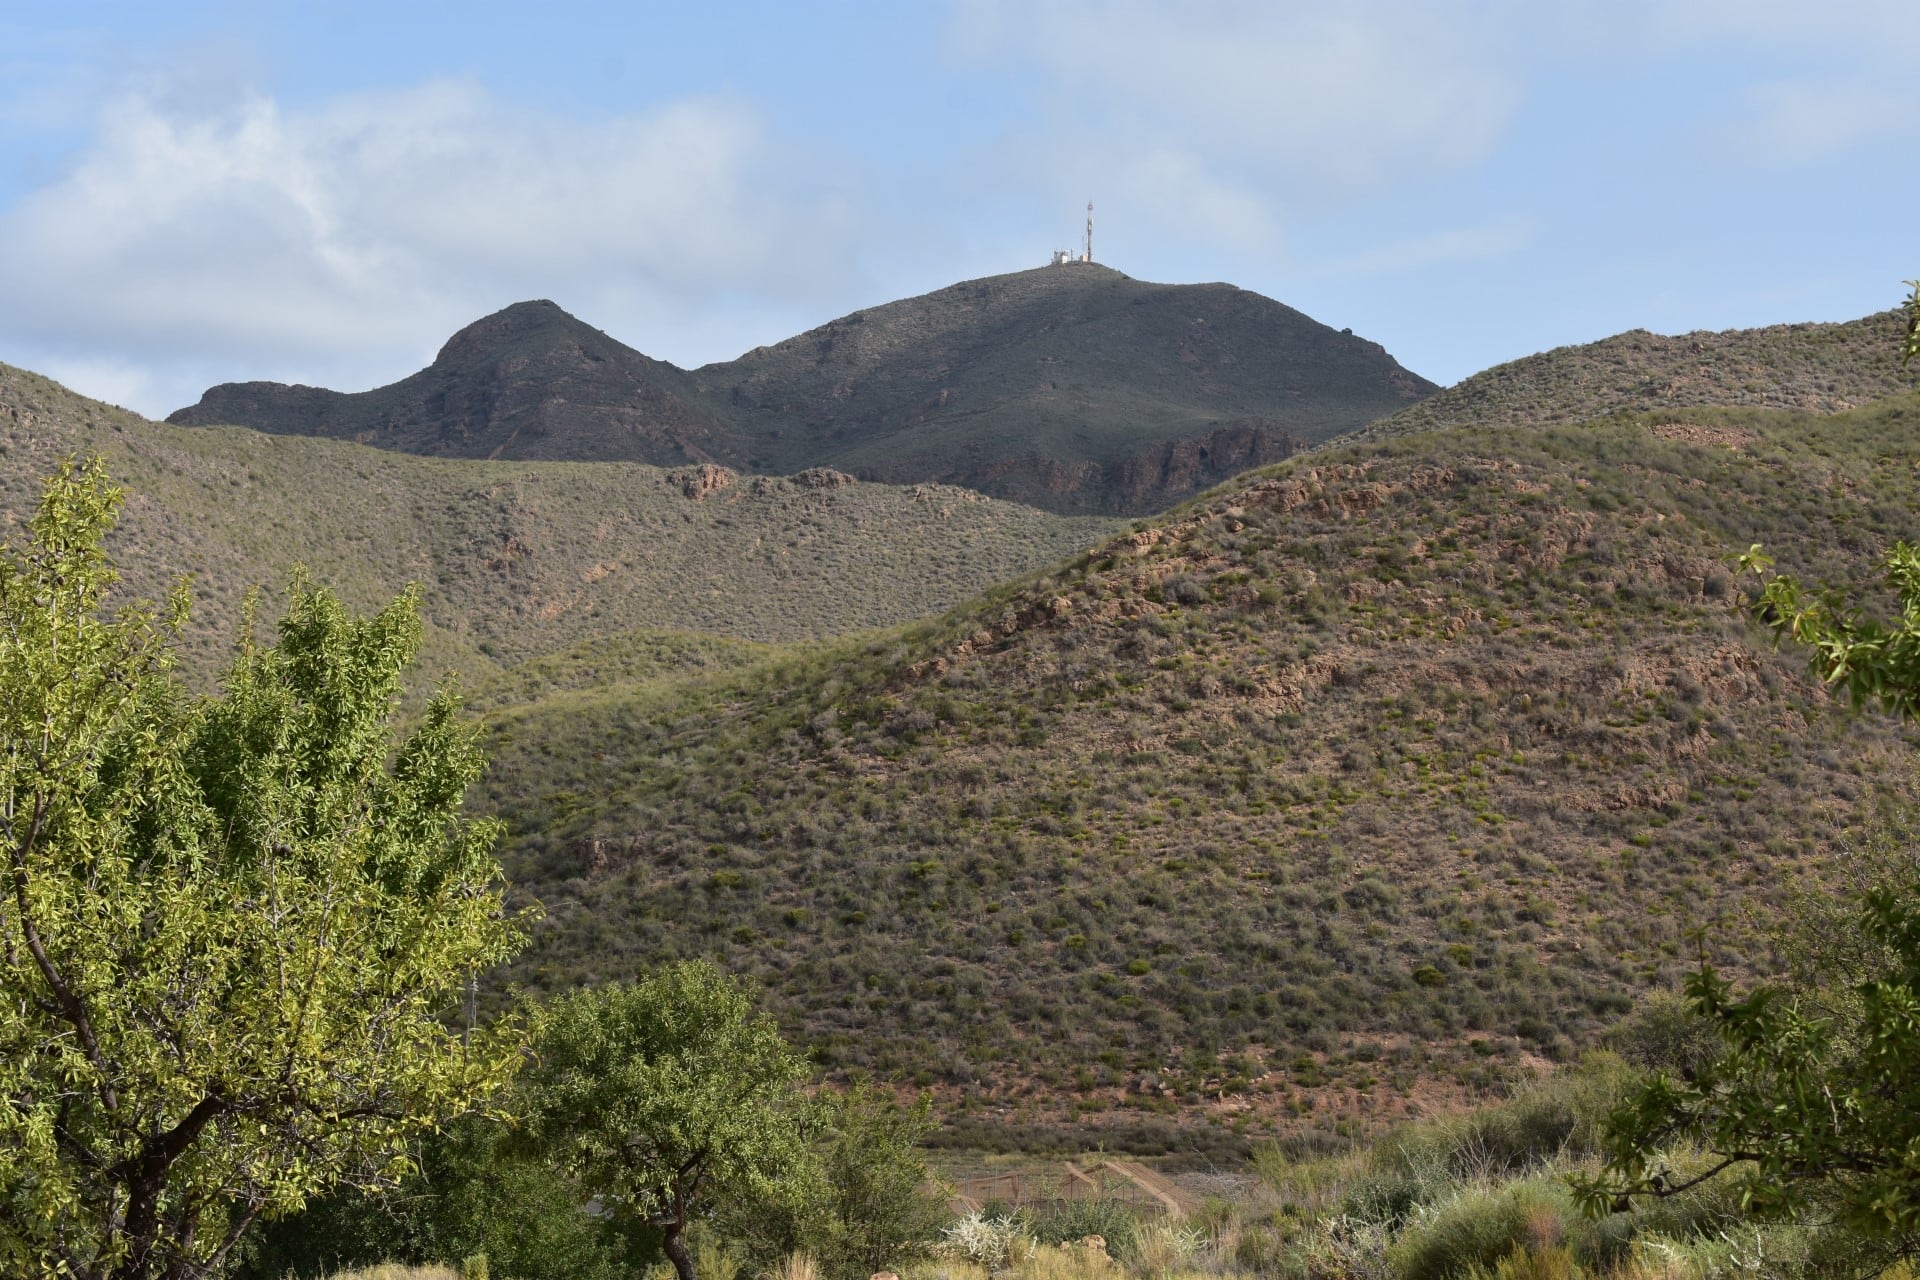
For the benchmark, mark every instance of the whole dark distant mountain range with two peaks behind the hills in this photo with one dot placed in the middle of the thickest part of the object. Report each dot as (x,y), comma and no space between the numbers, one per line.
(1068,389)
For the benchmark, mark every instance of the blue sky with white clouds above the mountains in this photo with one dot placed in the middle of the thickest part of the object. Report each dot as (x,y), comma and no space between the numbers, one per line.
(322,193)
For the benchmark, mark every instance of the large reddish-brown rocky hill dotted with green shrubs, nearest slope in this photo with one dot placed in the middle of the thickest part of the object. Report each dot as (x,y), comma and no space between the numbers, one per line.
(1374,776)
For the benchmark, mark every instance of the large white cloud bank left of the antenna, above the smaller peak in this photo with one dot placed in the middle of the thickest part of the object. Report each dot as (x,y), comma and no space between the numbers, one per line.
(366,231)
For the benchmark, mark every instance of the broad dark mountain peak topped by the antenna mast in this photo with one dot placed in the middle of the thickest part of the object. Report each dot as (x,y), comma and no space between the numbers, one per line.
(1072,389)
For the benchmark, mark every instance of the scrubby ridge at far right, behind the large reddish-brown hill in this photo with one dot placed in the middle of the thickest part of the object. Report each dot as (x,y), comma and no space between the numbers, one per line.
(1810,367)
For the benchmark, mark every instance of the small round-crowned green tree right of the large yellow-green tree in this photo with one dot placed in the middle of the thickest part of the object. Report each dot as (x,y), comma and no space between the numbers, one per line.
(669,1097)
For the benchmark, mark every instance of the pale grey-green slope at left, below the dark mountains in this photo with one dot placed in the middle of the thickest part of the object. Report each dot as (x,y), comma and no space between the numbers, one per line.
(521,559)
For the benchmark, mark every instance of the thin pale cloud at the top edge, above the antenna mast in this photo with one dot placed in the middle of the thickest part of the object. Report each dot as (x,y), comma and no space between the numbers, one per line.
(1245,108)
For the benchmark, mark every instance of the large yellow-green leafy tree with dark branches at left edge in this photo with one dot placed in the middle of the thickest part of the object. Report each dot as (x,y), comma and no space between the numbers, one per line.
(229,924)
